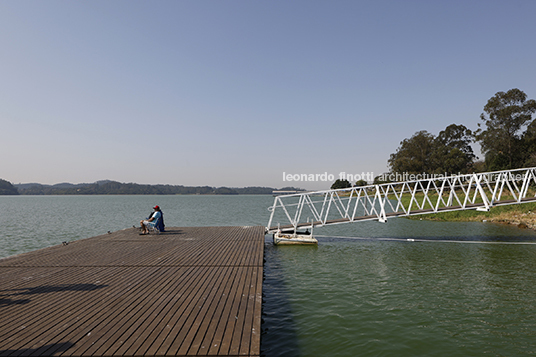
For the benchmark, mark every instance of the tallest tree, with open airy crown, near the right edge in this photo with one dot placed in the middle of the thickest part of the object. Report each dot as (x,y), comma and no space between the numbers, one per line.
(504,116)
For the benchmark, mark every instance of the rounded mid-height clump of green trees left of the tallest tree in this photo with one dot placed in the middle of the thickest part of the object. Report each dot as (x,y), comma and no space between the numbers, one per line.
(450,152)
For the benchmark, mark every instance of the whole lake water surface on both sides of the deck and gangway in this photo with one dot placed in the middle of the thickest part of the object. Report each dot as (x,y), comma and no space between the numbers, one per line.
(377,294)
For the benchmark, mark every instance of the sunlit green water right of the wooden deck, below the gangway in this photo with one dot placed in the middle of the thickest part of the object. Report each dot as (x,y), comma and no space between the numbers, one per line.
(370,297)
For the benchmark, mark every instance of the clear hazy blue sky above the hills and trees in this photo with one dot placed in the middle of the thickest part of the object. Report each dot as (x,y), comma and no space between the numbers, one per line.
(244,93)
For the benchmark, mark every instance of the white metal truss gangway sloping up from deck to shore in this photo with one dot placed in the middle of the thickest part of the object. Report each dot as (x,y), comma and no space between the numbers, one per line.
(433,194)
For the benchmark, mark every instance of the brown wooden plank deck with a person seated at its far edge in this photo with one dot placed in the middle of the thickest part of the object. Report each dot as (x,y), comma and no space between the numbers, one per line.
(187,292)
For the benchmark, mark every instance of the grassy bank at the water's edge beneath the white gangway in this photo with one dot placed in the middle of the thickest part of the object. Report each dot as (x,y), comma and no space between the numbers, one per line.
(523,215)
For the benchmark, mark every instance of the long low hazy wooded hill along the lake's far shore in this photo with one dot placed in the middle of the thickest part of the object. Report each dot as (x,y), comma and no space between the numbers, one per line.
(107,187)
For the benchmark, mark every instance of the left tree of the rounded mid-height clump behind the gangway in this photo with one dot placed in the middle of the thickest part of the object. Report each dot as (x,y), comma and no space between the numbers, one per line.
(414,156)
